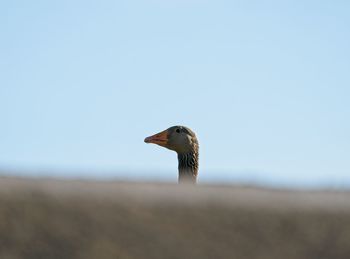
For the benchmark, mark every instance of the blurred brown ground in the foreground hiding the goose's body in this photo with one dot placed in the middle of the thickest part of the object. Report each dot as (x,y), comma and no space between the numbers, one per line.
(85,219)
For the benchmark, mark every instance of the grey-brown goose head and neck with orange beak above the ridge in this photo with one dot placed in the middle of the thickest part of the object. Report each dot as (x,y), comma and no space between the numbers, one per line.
(184,142)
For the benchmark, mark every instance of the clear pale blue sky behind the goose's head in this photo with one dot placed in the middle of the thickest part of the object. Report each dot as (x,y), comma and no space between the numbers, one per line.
(264,84)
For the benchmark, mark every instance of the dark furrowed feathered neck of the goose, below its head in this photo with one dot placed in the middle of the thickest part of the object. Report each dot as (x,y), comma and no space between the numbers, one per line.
(188,167)
